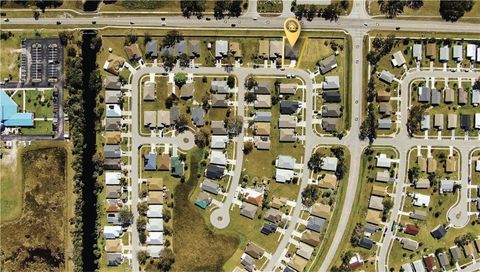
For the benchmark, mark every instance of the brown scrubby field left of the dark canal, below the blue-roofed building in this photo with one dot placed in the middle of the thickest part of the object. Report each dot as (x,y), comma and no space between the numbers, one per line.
(35,242)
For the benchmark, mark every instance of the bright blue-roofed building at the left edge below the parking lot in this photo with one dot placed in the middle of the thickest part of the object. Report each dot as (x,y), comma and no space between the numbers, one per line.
(9,117)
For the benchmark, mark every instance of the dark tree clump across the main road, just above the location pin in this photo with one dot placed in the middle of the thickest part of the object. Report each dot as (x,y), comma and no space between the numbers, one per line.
(331,12)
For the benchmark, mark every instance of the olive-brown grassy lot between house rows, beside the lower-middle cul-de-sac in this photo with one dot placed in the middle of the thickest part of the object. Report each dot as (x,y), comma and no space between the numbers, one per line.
(196,247)
